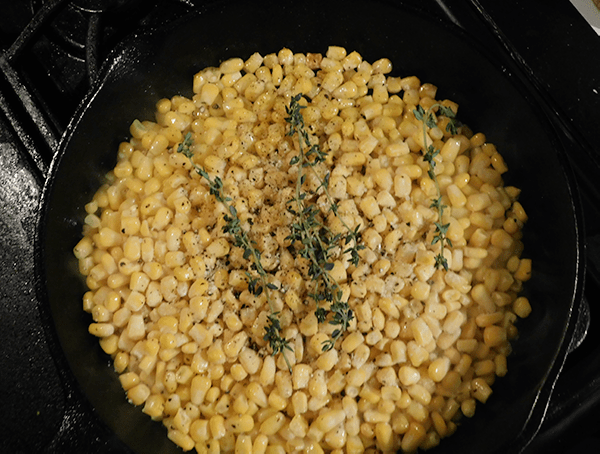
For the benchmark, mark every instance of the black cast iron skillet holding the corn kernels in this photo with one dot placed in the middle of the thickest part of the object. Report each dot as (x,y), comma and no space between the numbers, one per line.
(161,63)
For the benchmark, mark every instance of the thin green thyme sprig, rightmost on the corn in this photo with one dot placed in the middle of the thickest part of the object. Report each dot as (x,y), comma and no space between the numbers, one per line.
(428,119)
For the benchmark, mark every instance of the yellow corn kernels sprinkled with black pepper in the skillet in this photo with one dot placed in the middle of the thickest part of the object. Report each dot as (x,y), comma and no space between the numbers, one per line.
(168,290)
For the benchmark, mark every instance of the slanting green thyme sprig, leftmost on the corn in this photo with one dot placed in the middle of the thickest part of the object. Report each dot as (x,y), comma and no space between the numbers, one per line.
(233,226)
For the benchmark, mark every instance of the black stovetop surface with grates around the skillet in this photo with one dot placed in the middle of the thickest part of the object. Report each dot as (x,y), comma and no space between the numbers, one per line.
(549,42)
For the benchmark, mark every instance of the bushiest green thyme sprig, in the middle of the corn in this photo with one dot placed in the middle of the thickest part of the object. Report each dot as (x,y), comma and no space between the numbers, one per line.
(317,241)
